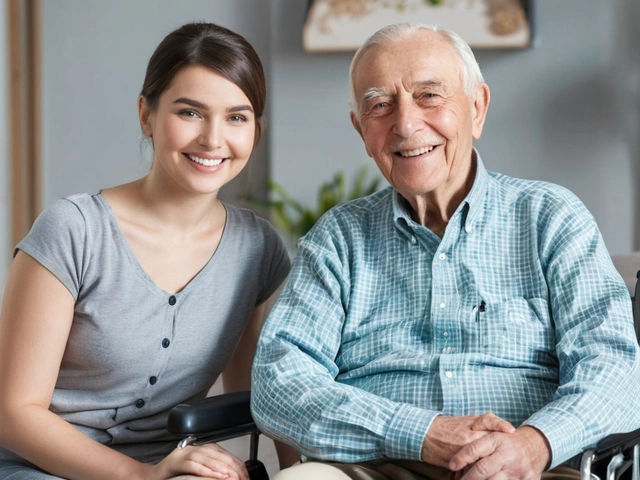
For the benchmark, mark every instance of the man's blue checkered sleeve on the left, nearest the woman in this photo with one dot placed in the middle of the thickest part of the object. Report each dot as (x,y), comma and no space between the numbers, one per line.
(296,397)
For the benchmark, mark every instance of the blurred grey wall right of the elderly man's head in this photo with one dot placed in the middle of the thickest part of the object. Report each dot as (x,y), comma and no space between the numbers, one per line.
(559,119)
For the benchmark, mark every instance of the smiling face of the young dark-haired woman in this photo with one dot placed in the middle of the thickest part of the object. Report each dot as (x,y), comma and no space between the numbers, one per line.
(202,129)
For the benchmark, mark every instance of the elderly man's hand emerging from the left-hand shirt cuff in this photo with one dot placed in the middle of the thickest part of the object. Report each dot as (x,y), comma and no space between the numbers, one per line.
(447,435)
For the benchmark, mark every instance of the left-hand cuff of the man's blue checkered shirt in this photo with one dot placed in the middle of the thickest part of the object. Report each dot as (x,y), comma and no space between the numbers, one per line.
(406,432)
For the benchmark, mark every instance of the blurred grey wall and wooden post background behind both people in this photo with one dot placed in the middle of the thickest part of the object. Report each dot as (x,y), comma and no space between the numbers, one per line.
(565,110)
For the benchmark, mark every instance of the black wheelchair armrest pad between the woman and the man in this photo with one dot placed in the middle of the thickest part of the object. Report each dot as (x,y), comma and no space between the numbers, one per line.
(211,414)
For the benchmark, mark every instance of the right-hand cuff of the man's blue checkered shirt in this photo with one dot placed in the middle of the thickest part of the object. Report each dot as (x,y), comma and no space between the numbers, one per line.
(563,431)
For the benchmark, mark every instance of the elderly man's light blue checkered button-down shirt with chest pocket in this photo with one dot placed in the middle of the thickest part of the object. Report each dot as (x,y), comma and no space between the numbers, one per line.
(517,310)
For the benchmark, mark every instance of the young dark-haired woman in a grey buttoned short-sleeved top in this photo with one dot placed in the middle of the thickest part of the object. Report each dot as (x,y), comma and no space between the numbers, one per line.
(121,304)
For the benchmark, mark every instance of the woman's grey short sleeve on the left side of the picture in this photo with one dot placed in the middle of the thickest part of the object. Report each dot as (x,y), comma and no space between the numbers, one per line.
(57,241)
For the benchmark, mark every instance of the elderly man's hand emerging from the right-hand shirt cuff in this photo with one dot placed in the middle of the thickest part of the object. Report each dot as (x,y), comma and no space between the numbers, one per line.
(524,454)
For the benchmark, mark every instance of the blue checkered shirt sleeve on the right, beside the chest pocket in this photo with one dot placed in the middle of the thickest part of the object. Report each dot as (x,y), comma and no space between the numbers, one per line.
(595,341)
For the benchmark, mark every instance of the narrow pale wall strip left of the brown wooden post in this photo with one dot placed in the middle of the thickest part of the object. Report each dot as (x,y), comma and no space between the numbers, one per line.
(5,194)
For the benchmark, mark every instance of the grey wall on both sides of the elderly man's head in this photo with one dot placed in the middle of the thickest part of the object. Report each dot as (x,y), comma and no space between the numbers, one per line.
(555,115)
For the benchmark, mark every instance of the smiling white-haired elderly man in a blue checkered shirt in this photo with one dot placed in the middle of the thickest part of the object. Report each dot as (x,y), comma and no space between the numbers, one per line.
(458,321)
